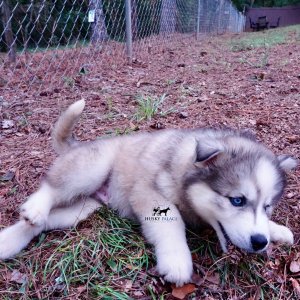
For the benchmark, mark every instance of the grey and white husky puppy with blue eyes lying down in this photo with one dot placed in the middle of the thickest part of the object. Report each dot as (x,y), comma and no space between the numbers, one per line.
(222,177)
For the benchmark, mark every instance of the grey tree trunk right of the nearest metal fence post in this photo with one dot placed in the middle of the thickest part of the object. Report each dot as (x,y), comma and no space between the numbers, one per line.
(168,16)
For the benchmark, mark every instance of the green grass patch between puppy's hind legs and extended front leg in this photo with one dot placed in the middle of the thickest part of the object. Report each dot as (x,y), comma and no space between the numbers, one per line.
(98,261)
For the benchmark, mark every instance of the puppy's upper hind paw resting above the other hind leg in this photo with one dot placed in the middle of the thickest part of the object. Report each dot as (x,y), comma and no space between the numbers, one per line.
(34,213)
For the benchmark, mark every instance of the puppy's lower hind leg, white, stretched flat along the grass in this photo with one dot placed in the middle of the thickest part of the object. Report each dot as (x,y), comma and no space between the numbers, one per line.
(16,237)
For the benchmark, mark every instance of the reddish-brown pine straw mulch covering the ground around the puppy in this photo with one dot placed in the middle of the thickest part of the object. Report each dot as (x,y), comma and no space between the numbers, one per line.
(206,84)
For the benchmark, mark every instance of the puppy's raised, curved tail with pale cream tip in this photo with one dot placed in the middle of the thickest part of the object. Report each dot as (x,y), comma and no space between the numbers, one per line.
(62,132)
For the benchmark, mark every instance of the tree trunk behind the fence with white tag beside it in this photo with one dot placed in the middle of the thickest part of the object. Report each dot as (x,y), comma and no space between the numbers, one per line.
(99,30)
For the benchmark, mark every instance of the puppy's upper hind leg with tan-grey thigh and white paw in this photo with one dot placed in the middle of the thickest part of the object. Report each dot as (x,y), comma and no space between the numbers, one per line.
(82,171)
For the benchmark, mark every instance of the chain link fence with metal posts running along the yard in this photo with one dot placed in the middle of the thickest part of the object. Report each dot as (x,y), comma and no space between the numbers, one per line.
(42,42)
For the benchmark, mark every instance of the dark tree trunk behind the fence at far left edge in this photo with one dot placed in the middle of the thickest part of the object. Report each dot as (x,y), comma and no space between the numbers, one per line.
(8,33)
